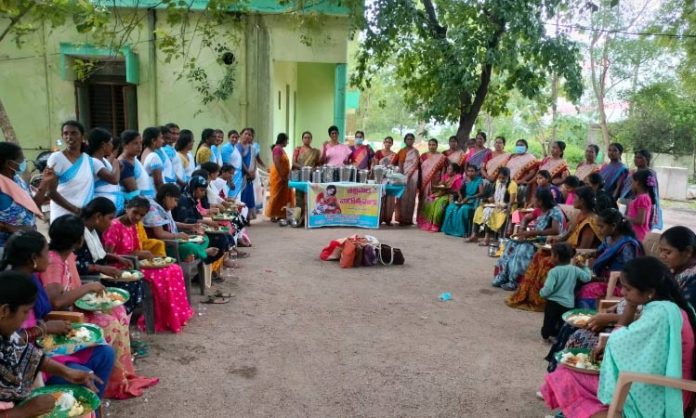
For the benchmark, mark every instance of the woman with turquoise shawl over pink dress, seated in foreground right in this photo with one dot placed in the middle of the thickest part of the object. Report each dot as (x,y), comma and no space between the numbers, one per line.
(659,342)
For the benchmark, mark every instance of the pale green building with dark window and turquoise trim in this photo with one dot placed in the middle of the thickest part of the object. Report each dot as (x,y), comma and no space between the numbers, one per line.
(286,78)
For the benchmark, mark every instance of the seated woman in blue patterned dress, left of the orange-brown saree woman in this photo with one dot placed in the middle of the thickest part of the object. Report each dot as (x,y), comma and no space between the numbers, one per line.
(519,252)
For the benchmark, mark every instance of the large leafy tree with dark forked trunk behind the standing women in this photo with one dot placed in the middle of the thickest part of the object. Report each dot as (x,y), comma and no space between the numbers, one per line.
(455,58)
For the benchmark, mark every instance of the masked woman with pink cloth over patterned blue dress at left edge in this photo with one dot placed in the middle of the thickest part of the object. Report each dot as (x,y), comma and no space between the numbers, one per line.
(18,211)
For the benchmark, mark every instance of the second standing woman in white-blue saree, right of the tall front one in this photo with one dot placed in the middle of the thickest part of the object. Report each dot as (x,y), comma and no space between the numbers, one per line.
(101,148)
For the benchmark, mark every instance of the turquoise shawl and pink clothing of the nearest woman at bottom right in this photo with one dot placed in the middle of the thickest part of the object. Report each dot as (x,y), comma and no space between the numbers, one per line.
(660,342)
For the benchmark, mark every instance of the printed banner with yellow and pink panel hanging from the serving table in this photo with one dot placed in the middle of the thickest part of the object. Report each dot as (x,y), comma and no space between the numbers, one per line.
(344,204)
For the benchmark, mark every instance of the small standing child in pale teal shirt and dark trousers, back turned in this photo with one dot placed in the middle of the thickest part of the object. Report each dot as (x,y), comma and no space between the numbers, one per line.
(559,288)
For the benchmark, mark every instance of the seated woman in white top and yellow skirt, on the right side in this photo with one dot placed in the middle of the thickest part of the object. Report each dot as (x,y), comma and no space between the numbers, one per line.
(492,219)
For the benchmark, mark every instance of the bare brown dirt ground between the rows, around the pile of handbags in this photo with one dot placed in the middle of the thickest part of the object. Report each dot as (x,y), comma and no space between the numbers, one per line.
(305,338)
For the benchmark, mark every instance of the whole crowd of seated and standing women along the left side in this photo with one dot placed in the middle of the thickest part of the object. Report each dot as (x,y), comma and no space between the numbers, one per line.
(116,204)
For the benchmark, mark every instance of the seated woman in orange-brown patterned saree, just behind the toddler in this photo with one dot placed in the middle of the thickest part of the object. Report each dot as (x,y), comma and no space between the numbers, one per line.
(583,233)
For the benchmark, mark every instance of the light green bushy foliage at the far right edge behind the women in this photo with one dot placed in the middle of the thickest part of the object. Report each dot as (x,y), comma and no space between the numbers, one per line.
(662,119)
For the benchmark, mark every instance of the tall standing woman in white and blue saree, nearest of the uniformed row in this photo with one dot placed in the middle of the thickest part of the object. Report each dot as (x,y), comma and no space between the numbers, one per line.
(75,172)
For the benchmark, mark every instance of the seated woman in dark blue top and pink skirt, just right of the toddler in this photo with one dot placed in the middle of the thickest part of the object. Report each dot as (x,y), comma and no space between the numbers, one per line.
(618,248)
